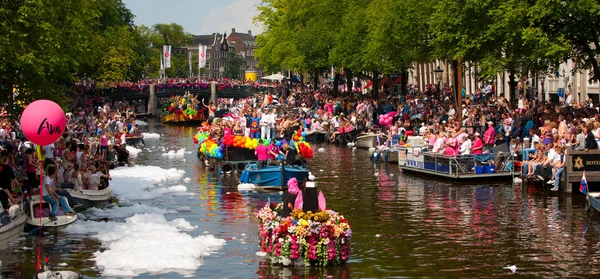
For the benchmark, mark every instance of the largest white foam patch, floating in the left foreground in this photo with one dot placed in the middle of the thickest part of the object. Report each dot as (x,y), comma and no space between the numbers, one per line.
(144,243)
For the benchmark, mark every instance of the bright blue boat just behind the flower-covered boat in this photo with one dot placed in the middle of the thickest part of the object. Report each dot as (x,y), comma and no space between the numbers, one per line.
(272,176)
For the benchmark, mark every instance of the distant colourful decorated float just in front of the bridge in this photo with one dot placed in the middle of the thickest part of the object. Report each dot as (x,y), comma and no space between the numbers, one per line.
(181,110)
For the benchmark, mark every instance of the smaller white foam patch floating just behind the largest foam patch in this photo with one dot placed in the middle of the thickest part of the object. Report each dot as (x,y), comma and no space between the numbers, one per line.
(144,182)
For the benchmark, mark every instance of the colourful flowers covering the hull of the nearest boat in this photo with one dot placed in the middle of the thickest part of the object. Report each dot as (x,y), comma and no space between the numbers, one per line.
(321,238)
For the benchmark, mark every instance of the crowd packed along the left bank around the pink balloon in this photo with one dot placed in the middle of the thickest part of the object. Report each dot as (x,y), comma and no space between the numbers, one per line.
(81,158)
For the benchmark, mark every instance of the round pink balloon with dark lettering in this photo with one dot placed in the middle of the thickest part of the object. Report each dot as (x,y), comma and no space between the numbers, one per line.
(43,122)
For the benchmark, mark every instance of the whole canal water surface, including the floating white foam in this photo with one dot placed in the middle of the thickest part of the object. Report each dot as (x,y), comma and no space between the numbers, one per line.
(174,219)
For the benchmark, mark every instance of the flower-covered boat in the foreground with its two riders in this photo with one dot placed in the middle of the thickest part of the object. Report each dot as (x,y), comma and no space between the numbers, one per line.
(311,235)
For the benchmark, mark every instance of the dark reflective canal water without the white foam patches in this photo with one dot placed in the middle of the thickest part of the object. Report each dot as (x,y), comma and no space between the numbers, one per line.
(403,226)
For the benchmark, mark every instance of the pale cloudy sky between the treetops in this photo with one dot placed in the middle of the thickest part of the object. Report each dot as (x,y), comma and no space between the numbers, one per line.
(198,17)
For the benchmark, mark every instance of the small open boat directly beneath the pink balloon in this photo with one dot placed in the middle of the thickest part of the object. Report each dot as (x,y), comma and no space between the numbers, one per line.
(33,217)
